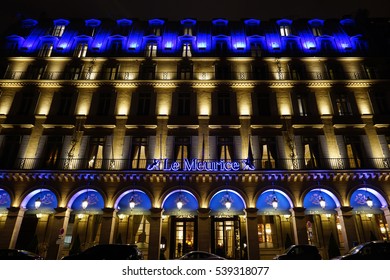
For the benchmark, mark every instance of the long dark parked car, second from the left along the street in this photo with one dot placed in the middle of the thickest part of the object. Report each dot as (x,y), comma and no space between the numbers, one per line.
(109,252)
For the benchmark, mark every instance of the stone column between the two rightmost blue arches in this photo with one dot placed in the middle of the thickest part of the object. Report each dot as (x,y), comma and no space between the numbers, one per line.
(348,226)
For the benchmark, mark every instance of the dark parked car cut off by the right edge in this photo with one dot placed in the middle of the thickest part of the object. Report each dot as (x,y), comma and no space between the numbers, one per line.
(373,250)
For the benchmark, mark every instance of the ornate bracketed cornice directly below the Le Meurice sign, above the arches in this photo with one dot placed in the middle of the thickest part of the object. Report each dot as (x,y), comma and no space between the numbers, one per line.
(195,177)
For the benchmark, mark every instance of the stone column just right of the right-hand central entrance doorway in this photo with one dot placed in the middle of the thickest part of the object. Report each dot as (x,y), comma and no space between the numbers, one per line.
(251,234)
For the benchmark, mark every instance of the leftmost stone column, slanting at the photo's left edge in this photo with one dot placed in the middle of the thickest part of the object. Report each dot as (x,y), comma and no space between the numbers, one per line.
(9,235)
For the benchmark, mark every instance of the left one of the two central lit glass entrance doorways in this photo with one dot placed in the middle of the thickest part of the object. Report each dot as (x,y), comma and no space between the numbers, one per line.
(183,236)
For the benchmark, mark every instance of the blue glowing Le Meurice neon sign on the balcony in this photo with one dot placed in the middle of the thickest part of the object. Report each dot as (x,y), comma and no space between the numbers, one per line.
(200,165)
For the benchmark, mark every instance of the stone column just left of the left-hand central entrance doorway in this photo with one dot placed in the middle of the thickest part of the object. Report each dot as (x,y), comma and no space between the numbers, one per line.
(155,234)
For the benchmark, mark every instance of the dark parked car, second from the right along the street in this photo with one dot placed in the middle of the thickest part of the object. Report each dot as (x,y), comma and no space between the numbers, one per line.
(300,252)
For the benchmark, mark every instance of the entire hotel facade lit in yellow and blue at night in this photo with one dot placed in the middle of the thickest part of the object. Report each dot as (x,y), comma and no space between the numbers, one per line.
(239,138)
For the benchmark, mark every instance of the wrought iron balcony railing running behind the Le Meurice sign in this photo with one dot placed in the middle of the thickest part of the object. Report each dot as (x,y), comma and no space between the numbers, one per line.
(205,165)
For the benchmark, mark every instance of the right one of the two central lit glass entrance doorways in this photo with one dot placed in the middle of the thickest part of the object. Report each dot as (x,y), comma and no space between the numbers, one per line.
(227,237)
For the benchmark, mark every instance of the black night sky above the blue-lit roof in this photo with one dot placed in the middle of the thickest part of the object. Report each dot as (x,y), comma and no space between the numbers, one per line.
(198,9)
